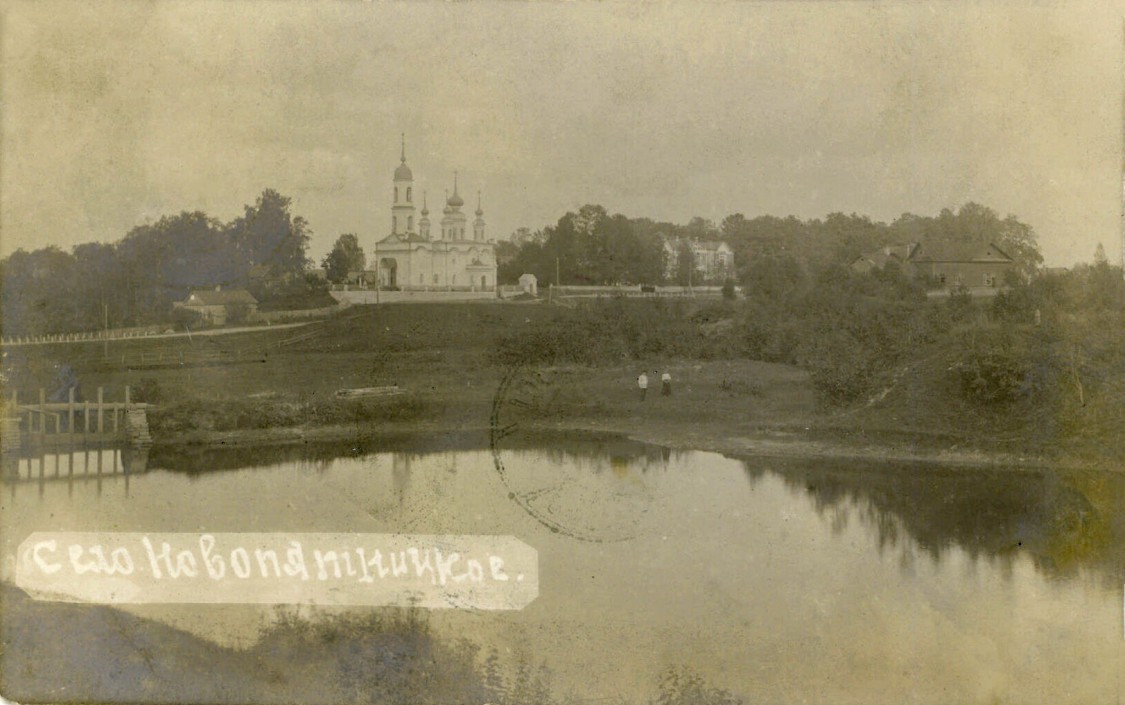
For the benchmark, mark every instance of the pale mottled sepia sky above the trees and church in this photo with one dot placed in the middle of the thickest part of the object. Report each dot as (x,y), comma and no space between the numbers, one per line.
(119,113)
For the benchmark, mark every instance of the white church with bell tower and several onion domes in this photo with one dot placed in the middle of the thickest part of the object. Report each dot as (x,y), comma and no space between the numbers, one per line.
(456,256)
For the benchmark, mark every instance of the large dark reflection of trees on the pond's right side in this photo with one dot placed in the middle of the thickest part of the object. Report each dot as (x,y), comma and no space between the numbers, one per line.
(1067,521)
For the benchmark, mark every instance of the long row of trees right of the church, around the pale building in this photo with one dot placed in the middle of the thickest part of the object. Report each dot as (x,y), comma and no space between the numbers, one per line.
(592,247)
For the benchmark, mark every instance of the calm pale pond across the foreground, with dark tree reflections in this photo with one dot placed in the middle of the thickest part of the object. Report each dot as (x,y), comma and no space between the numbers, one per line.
(773,582)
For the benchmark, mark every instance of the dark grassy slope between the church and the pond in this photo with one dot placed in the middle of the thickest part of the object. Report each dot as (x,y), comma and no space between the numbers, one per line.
(277,386)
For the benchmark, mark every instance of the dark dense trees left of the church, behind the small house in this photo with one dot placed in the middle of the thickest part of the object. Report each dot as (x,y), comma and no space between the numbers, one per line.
(136,281)
